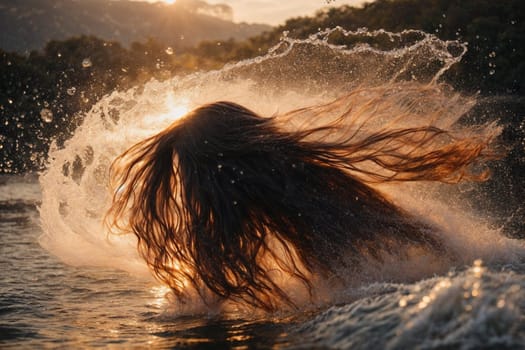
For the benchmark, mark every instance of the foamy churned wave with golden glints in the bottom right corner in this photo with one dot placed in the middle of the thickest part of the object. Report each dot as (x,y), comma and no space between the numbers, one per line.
(474,308)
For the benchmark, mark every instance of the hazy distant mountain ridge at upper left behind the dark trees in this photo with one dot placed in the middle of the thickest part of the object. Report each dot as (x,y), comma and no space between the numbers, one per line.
(29,24)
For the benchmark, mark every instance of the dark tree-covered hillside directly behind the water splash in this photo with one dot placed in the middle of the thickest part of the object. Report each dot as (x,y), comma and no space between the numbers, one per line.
(44,93)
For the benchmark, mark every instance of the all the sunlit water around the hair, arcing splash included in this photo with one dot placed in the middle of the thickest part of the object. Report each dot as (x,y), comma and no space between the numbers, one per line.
(67,283)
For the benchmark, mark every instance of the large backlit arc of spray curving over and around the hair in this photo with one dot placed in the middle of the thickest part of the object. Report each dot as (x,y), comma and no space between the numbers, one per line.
(385,75)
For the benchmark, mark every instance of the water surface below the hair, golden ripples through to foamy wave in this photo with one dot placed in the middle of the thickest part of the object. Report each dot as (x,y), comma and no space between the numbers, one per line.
(44,303)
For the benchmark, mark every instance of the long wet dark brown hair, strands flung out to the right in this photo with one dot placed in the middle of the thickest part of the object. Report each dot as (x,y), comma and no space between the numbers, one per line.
(223,198)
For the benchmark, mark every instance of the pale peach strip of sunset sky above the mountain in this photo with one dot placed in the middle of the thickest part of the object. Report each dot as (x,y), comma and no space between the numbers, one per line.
(276,11)
